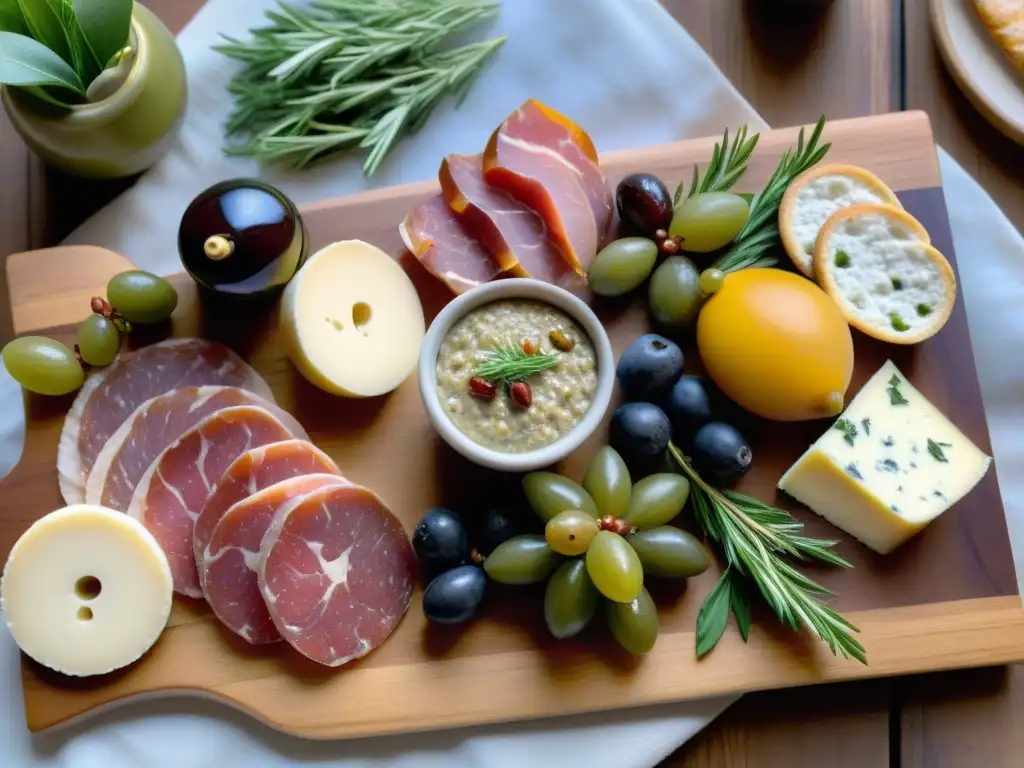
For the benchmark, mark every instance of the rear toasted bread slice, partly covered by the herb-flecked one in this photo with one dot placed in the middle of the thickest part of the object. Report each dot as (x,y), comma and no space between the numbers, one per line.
(816,196)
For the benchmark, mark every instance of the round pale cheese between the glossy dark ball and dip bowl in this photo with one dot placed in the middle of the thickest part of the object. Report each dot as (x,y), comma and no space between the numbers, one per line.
(352,321)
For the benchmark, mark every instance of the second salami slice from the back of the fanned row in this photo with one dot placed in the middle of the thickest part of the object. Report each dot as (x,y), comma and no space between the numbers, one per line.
(154,426)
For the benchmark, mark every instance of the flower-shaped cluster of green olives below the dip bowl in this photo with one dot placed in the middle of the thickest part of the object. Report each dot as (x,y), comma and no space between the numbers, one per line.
(601,540)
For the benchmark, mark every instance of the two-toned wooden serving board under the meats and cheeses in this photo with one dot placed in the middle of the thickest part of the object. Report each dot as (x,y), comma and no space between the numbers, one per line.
(947,600)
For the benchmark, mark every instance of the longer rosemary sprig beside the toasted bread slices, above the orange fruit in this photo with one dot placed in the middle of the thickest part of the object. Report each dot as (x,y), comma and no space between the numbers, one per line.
(760,235)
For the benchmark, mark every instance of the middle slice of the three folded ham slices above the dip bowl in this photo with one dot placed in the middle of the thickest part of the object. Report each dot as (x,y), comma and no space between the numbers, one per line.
(515,235)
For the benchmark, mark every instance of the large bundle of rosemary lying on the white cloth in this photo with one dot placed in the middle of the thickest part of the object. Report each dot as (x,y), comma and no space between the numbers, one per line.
(349,74)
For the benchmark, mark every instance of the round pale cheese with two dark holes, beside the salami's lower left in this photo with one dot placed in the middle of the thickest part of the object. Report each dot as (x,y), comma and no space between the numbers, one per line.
(87,590)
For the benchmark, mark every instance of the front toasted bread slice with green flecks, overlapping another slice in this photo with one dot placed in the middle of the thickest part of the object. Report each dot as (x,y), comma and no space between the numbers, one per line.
(878,265)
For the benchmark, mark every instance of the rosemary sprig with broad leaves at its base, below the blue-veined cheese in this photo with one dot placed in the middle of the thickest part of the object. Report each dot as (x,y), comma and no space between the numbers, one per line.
(755,539)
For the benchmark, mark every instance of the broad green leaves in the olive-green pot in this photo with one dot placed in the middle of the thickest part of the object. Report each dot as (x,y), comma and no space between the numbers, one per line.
(56,50)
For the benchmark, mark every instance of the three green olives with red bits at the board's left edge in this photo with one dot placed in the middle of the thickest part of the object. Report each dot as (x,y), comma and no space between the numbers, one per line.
(47,367)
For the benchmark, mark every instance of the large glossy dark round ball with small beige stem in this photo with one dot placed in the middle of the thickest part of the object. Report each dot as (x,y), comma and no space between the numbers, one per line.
(242,238)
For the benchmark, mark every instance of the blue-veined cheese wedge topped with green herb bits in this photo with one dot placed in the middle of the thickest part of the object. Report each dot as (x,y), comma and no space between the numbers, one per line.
(887,468)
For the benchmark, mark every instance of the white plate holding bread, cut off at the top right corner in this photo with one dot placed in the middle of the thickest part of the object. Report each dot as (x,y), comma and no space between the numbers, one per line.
(979,66)
